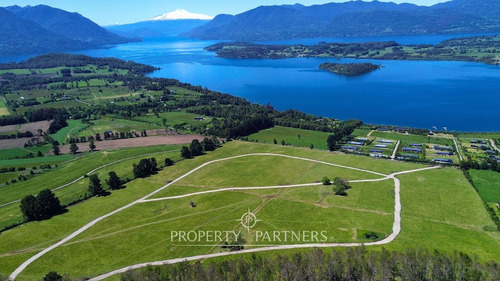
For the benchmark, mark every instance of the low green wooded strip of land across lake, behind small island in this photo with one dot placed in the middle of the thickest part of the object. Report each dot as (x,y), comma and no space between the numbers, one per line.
(483,49)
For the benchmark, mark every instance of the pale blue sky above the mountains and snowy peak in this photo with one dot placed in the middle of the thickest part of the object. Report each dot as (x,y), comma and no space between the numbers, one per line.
(106,12)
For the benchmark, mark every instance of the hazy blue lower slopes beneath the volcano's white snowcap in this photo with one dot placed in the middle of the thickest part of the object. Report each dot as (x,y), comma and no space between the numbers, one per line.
(158,28)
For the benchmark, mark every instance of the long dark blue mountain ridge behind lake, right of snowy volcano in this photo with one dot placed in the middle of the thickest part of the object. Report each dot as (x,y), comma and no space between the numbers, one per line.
(355,18)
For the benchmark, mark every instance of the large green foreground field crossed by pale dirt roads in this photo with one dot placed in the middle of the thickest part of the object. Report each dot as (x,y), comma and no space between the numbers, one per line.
(440,210)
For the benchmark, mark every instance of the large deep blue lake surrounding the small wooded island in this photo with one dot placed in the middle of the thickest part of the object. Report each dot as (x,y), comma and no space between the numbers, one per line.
(461,96)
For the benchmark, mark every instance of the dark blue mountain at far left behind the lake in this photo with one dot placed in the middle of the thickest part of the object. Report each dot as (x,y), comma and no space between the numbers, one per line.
(40,29)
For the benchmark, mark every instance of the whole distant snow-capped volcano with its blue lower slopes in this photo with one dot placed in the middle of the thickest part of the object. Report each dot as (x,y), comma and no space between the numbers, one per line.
(169,24)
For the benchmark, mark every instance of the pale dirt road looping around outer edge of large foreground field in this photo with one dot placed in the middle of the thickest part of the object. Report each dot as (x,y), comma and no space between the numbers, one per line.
(395,229)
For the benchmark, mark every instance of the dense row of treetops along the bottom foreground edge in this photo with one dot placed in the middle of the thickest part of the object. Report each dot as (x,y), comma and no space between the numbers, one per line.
(349,264)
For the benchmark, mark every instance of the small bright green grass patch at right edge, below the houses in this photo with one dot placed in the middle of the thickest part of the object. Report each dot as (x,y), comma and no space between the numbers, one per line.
(488,184)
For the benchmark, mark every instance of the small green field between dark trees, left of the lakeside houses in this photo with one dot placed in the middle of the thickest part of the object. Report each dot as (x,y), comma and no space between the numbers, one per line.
(291,136)
